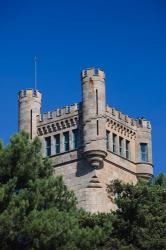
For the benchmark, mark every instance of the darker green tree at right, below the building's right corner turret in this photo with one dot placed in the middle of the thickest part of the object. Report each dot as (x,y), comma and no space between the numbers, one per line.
(140,220)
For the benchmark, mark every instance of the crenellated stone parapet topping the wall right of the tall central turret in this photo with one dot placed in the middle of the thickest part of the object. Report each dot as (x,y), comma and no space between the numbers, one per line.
(135,123)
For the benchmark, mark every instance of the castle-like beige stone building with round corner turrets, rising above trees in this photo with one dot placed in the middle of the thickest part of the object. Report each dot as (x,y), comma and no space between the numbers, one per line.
(90,143)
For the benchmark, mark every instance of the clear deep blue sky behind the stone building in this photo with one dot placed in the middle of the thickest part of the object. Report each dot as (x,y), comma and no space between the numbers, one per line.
(127,38)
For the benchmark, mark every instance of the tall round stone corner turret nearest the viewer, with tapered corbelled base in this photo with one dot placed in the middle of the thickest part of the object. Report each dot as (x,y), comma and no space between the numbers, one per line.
(93,116)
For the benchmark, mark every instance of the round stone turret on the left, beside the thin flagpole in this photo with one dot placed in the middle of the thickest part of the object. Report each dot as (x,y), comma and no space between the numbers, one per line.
(29,108)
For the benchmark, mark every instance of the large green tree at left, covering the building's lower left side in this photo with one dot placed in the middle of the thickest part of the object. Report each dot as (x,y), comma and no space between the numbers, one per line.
(36,209)
